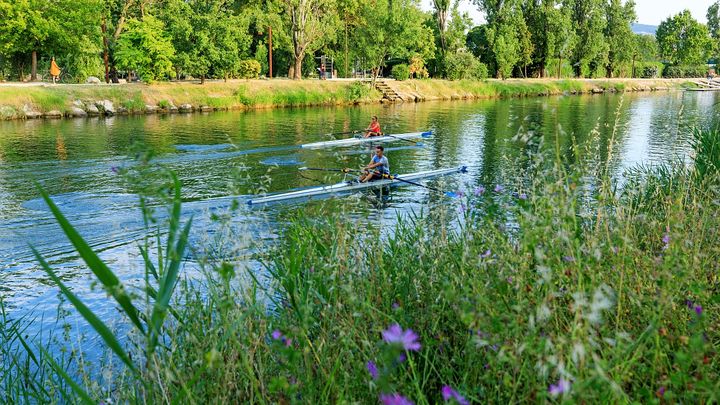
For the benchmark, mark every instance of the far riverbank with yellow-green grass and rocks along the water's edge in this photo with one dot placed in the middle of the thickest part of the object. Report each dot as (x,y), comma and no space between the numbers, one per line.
(18,101)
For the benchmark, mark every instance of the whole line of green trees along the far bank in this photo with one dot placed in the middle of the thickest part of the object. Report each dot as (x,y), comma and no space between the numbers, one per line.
(218,39)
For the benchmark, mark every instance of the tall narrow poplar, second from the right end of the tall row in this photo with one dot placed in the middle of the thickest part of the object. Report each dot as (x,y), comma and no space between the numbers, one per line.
(588,18)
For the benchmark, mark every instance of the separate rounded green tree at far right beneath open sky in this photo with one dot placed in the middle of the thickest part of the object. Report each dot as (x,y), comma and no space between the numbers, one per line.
(682,40)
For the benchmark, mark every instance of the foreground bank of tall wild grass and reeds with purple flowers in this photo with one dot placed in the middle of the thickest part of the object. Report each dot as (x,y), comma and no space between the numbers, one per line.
(556,287)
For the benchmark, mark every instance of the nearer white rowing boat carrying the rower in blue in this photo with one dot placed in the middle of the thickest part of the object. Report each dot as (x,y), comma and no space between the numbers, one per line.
(353,185)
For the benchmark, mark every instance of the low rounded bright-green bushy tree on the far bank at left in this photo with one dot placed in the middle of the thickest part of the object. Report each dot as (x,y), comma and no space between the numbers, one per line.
(145,48)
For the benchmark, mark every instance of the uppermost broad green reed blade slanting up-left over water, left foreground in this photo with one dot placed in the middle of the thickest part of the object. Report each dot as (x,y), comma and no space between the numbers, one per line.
(97,266)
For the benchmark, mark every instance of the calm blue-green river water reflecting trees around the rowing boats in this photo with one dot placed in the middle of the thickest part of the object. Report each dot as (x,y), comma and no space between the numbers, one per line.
(222,156)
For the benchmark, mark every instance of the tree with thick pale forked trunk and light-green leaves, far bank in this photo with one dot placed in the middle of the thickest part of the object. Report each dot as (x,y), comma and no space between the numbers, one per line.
(311,24)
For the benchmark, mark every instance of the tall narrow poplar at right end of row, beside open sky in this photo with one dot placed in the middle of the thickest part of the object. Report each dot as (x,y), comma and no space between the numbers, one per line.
(618,34)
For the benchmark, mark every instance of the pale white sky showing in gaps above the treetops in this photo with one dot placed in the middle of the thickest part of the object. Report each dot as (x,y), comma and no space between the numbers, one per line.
(651,12)
